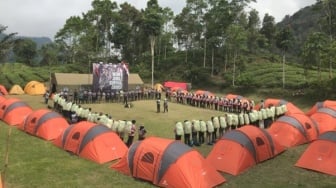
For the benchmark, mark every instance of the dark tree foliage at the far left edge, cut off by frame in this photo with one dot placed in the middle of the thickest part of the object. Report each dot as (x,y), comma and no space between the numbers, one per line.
(6,43)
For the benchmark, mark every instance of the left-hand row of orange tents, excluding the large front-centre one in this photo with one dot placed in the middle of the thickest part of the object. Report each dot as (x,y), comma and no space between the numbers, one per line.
(85,139)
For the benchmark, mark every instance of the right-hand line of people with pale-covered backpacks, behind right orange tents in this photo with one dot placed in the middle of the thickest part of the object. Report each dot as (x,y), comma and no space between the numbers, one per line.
(198,132)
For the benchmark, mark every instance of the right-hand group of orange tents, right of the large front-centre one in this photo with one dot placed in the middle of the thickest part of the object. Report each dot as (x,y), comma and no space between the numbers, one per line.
(240,149)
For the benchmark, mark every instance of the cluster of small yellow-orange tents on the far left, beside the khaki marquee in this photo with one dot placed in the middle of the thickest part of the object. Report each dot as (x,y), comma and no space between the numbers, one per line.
(31,88)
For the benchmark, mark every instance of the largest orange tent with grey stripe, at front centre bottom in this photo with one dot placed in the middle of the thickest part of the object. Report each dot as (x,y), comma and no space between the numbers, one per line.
(168,163)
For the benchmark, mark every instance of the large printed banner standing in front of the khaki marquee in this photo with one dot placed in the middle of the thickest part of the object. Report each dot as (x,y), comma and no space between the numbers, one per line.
(110,77)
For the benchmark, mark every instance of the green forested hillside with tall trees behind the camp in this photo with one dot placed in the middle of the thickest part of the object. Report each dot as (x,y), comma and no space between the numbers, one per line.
(211,43)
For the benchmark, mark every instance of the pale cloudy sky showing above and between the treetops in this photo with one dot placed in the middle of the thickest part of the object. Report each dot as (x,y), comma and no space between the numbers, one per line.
(43,18)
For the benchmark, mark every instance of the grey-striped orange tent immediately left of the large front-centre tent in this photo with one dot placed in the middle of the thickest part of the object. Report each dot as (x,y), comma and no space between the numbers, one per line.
(91,141)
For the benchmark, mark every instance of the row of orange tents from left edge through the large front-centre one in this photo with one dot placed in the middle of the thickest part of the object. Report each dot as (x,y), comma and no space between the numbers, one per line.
(164,162)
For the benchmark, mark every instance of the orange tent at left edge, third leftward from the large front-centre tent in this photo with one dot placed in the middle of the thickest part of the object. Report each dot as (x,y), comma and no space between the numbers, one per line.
(13,111)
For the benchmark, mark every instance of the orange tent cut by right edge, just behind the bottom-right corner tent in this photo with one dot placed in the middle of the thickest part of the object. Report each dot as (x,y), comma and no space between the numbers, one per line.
(325,118)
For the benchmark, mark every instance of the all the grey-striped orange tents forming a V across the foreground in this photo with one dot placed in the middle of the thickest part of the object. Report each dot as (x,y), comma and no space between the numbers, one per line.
(170,163)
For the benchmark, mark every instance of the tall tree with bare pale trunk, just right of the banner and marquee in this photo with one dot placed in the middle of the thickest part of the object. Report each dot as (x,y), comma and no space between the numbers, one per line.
(152,26)
